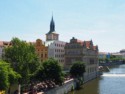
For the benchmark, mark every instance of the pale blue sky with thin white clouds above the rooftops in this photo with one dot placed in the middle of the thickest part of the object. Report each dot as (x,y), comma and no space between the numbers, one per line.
(102,21)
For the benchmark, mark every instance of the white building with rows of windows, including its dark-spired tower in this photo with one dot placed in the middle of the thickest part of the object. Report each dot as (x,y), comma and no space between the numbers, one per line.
(55,47)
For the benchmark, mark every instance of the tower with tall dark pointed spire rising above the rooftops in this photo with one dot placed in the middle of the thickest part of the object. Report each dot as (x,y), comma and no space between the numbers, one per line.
(52,35)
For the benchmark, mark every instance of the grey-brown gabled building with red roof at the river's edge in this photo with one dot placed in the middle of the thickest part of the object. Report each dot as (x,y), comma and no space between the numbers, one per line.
(83,51)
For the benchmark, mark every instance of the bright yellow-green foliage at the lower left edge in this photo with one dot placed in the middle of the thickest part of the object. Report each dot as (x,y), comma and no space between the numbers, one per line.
(7,75)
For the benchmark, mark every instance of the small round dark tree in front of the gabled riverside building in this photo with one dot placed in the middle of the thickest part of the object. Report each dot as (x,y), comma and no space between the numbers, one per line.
(77,69)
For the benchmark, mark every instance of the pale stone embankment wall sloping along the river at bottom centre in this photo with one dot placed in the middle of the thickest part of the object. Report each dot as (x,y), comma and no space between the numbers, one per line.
(68,86)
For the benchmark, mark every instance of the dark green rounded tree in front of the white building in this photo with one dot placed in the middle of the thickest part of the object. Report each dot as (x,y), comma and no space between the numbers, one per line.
(53,71)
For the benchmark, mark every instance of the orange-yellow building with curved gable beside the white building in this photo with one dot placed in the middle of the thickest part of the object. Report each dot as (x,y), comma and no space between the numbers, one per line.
(41,50)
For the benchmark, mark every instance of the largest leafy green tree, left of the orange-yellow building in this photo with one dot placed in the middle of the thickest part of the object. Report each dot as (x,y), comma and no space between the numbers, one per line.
(22,57)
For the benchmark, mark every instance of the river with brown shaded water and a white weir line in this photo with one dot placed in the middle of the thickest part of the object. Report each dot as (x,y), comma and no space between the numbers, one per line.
(112,82)
